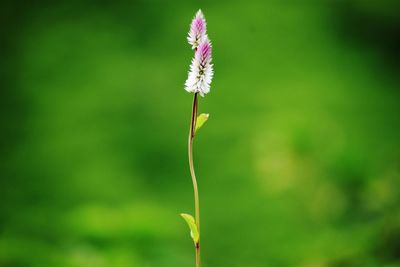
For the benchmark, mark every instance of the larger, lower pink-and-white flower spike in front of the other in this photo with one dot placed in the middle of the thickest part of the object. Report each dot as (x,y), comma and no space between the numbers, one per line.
(201,70)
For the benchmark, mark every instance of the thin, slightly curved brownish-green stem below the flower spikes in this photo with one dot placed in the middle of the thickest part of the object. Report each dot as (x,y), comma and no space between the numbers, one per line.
(192,173)
